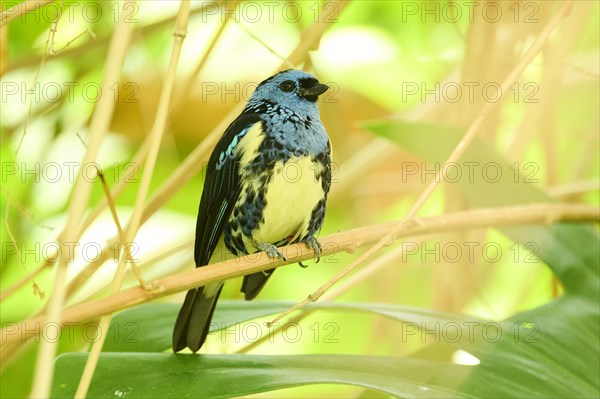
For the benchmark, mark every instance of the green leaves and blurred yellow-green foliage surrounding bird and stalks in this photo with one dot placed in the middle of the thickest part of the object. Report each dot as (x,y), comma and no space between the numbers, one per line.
(406,83)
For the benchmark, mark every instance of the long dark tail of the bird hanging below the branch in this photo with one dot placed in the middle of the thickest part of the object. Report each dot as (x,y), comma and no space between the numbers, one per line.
(193,320)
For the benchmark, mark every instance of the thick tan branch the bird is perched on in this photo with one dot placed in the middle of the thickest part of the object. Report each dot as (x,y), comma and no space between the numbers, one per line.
(347,241)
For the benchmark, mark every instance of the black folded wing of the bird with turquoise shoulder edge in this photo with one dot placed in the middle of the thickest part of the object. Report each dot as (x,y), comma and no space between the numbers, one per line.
(222,188)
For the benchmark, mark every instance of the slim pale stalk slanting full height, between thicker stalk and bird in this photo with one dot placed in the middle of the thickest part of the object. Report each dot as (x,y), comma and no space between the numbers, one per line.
(156,135)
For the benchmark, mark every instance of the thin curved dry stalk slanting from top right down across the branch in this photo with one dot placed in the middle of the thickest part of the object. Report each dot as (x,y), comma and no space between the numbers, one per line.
(534,49)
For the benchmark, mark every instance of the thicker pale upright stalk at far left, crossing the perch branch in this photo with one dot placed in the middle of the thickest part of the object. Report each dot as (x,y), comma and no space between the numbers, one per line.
(81,193)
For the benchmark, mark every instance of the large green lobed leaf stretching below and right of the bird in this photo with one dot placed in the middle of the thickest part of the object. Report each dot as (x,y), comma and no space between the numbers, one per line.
(550,351)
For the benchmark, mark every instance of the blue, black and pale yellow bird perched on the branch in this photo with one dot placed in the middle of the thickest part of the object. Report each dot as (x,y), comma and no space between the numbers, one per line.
(266,186)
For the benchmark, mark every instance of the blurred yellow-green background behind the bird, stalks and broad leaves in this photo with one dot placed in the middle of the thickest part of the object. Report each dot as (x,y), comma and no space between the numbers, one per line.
(421,62)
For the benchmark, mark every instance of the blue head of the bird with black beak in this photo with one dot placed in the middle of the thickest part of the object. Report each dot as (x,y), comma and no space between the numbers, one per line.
(292,88)
